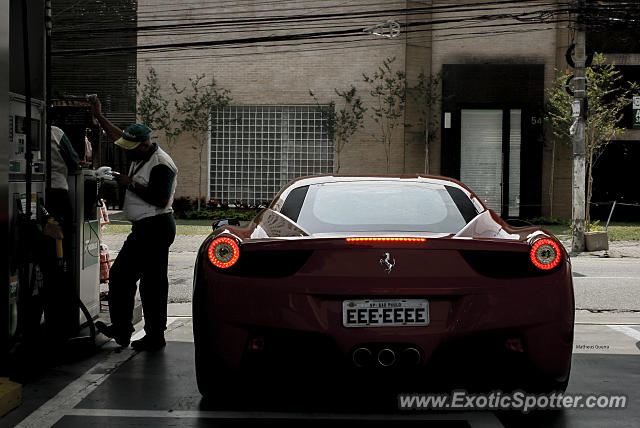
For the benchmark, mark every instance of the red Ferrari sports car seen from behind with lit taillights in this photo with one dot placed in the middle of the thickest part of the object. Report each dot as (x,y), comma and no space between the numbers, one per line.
(403,277)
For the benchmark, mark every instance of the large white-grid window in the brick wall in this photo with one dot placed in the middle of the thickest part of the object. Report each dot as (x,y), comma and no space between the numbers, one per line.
(255,150)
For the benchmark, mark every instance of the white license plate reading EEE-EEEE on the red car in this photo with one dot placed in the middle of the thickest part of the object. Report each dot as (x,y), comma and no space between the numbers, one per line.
(385,313)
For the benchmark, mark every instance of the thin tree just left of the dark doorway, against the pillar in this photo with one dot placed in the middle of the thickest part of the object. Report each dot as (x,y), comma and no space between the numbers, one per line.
(428,97)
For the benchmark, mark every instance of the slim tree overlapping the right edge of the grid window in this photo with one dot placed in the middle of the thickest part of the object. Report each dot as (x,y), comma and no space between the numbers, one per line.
(343,124)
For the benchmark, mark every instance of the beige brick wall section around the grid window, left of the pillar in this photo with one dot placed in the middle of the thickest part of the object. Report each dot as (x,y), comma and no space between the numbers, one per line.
(267,78)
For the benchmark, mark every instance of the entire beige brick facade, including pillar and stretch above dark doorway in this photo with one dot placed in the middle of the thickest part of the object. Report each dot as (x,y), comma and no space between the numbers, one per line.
(257,75)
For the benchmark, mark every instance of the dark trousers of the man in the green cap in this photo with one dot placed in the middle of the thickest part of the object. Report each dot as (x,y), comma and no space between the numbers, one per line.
(144,256)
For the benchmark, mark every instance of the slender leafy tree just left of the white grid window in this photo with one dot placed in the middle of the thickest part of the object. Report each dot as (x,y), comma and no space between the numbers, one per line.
(195,110)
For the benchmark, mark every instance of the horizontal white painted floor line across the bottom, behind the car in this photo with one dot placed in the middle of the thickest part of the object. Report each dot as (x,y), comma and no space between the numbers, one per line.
(476,419)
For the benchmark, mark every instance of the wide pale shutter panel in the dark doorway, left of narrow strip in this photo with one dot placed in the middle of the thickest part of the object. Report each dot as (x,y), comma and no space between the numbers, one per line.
(481,155)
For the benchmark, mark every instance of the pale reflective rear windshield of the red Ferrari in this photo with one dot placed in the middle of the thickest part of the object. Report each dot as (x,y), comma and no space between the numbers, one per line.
(380,206)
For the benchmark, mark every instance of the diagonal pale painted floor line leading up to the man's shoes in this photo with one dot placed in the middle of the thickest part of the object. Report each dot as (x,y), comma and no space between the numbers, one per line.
(53,410)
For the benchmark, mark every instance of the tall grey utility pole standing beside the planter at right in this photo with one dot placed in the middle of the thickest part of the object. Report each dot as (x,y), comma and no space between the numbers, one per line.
(578,200)
